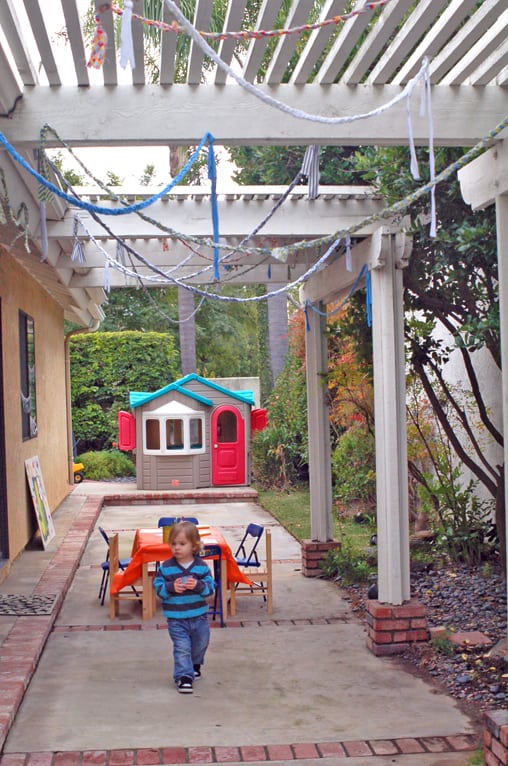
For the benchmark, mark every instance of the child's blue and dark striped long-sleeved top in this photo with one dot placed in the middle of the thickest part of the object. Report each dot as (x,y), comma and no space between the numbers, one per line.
(191,603)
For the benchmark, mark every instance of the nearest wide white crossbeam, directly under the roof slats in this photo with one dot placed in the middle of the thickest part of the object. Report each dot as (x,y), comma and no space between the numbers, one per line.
(181,116)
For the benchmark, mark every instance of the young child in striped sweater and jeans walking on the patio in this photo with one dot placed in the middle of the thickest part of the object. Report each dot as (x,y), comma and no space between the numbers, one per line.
(183,582)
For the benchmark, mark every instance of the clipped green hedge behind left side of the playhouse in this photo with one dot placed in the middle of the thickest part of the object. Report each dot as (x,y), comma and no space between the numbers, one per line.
(105,367)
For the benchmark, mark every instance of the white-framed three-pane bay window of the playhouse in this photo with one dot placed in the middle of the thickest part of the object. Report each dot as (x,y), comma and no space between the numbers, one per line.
(164,434)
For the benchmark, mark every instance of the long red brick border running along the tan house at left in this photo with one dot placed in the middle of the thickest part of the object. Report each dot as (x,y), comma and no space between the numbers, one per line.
(22,647)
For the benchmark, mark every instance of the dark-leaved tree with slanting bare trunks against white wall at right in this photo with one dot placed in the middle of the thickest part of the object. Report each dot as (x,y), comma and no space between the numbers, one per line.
(450,284)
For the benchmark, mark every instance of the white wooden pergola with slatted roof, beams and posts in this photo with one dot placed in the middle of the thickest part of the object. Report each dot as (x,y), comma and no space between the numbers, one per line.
(355,66)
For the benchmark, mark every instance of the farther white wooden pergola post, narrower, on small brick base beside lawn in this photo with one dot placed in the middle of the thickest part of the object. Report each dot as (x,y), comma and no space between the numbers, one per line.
(320,471)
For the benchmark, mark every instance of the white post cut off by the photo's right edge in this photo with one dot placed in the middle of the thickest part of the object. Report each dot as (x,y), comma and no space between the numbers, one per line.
(502,260)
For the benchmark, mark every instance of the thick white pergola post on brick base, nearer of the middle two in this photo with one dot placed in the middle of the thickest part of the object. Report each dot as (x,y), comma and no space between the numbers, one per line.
(390,419)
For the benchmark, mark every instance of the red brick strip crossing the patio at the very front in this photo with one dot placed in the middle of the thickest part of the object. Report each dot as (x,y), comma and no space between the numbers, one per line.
(246,753)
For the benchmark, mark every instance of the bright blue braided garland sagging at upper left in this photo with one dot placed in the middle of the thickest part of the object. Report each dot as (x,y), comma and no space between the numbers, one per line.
(207,138)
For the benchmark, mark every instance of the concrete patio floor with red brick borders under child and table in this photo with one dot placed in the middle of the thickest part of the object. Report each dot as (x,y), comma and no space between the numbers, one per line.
(297,685)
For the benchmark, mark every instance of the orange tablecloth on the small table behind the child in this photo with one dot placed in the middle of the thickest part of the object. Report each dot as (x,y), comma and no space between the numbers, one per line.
(148,546)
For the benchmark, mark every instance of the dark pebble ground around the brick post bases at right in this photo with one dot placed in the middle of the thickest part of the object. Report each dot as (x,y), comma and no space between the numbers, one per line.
(460,599)
